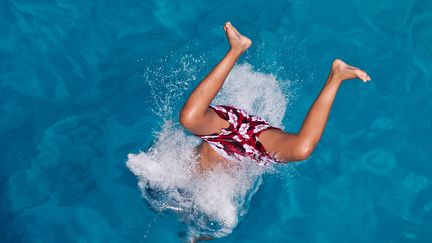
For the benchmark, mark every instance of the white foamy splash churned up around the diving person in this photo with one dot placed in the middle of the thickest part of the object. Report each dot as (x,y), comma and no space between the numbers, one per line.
(210,203)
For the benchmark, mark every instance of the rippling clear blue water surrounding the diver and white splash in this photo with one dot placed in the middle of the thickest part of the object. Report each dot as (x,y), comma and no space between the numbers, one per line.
(75,102)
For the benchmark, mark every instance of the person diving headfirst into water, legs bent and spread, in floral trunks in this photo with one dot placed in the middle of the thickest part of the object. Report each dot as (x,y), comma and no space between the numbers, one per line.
(230,133)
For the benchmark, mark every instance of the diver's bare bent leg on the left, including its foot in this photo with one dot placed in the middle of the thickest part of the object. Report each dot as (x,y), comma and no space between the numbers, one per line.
(195,115)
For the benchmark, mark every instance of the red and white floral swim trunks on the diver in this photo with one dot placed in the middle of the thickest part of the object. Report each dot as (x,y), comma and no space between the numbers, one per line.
(240,139)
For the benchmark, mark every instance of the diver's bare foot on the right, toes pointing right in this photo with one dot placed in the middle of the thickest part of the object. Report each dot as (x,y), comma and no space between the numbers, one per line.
(343,71)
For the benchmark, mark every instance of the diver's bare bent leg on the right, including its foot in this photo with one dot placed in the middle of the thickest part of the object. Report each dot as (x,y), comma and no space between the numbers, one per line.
(294,147)
